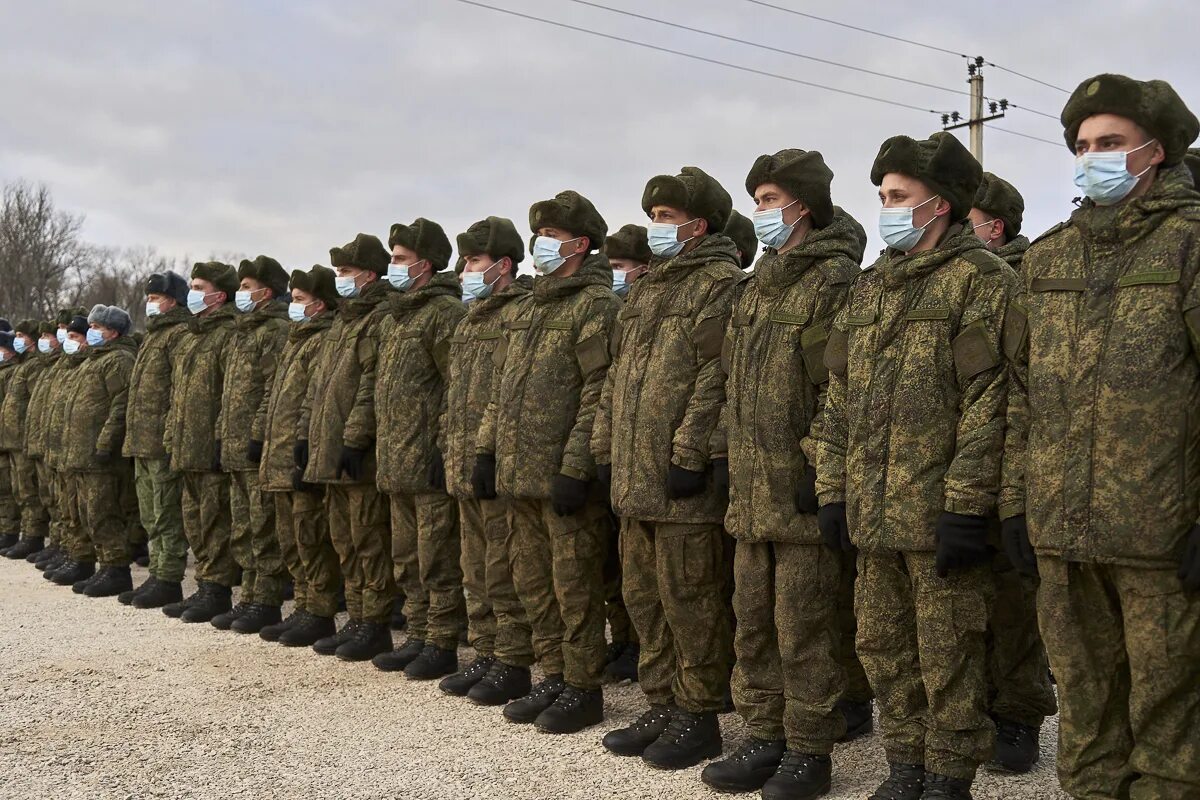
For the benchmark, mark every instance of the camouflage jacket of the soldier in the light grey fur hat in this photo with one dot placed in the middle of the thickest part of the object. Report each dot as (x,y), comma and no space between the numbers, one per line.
(94,416)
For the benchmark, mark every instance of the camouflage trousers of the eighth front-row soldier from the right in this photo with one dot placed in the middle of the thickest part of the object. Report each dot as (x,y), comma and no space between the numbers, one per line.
(359,531)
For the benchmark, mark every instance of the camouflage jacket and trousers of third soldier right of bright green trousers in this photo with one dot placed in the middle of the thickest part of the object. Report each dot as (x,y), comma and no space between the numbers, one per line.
(301,519)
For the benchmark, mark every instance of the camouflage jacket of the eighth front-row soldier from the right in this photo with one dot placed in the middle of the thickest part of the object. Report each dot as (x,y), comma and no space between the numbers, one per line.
(339,410)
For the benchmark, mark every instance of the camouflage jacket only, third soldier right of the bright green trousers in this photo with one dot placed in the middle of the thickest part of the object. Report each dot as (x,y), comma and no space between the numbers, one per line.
(285,396)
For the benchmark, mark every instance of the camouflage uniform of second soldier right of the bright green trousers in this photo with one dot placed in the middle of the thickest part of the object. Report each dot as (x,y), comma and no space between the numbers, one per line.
(254,352)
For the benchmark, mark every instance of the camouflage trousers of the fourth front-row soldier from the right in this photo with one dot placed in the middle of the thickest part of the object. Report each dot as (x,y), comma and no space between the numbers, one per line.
(675,587)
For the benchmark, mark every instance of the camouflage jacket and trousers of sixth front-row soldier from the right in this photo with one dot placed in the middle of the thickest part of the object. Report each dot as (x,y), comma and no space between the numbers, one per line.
(496,622)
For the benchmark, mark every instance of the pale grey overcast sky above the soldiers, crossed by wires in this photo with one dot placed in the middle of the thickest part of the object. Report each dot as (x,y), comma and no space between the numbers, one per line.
(286,128)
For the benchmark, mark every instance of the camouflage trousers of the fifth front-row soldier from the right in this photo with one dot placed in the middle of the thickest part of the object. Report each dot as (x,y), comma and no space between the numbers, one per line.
(559,573)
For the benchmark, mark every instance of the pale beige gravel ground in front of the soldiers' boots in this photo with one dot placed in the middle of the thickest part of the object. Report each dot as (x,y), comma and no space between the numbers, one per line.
(105,702)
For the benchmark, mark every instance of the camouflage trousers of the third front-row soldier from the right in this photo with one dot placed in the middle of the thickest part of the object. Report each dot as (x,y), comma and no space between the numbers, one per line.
(795,643)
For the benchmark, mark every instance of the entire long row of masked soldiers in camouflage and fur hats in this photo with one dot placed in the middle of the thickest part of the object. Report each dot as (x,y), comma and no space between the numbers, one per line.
(832,483)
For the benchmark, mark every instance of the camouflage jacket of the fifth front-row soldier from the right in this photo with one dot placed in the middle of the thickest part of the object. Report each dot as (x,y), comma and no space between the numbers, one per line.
(556,356)
